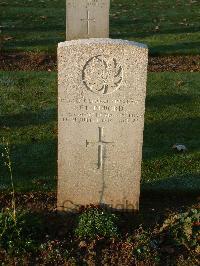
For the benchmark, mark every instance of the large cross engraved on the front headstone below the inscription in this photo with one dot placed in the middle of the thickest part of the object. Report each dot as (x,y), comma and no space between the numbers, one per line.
(101,144)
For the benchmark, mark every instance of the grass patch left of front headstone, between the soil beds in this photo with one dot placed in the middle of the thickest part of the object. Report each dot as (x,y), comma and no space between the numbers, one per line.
(28,121)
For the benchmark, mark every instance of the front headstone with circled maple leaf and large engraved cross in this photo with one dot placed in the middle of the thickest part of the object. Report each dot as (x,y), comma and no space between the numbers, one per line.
(101,104)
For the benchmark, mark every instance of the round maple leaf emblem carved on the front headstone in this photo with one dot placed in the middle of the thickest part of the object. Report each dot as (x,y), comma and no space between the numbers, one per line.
(101,75)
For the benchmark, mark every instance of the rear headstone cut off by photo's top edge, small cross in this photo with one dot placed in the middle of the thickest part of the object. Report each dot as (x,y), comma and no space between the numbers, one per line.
(87,19)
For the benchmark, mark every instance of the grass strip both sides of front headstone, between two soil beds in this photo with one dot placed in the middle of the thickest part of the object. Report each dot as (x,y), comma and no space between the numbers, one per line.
(28,120)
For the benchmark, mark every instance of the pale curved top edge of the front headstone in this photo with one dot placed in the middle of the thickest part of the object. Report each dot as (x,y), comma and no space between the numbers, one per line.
(105,41)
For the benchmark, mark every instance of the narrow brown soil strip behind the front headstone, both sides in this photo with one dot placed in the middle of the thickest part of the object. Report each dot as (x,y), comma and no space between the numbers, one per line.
(44,62)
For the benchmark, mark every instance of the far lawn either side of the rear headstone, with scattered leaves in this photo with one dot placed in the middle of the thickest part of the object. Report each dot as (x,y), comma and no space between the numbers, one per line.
(167,26)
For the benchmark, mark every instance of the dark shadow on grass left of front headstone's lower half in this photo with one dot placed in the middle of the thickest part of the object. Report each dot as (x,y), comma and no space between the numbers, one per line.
(34,166)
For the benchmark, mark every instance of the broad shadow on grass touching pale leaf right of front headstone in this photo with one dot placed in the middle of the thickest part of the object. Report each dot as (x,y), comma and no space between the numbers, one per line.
(160,136)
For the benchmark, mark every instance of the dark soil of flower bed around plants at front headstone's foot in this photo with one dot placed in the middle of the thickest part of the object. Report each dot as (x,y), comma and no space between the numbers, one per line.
(153,211)
